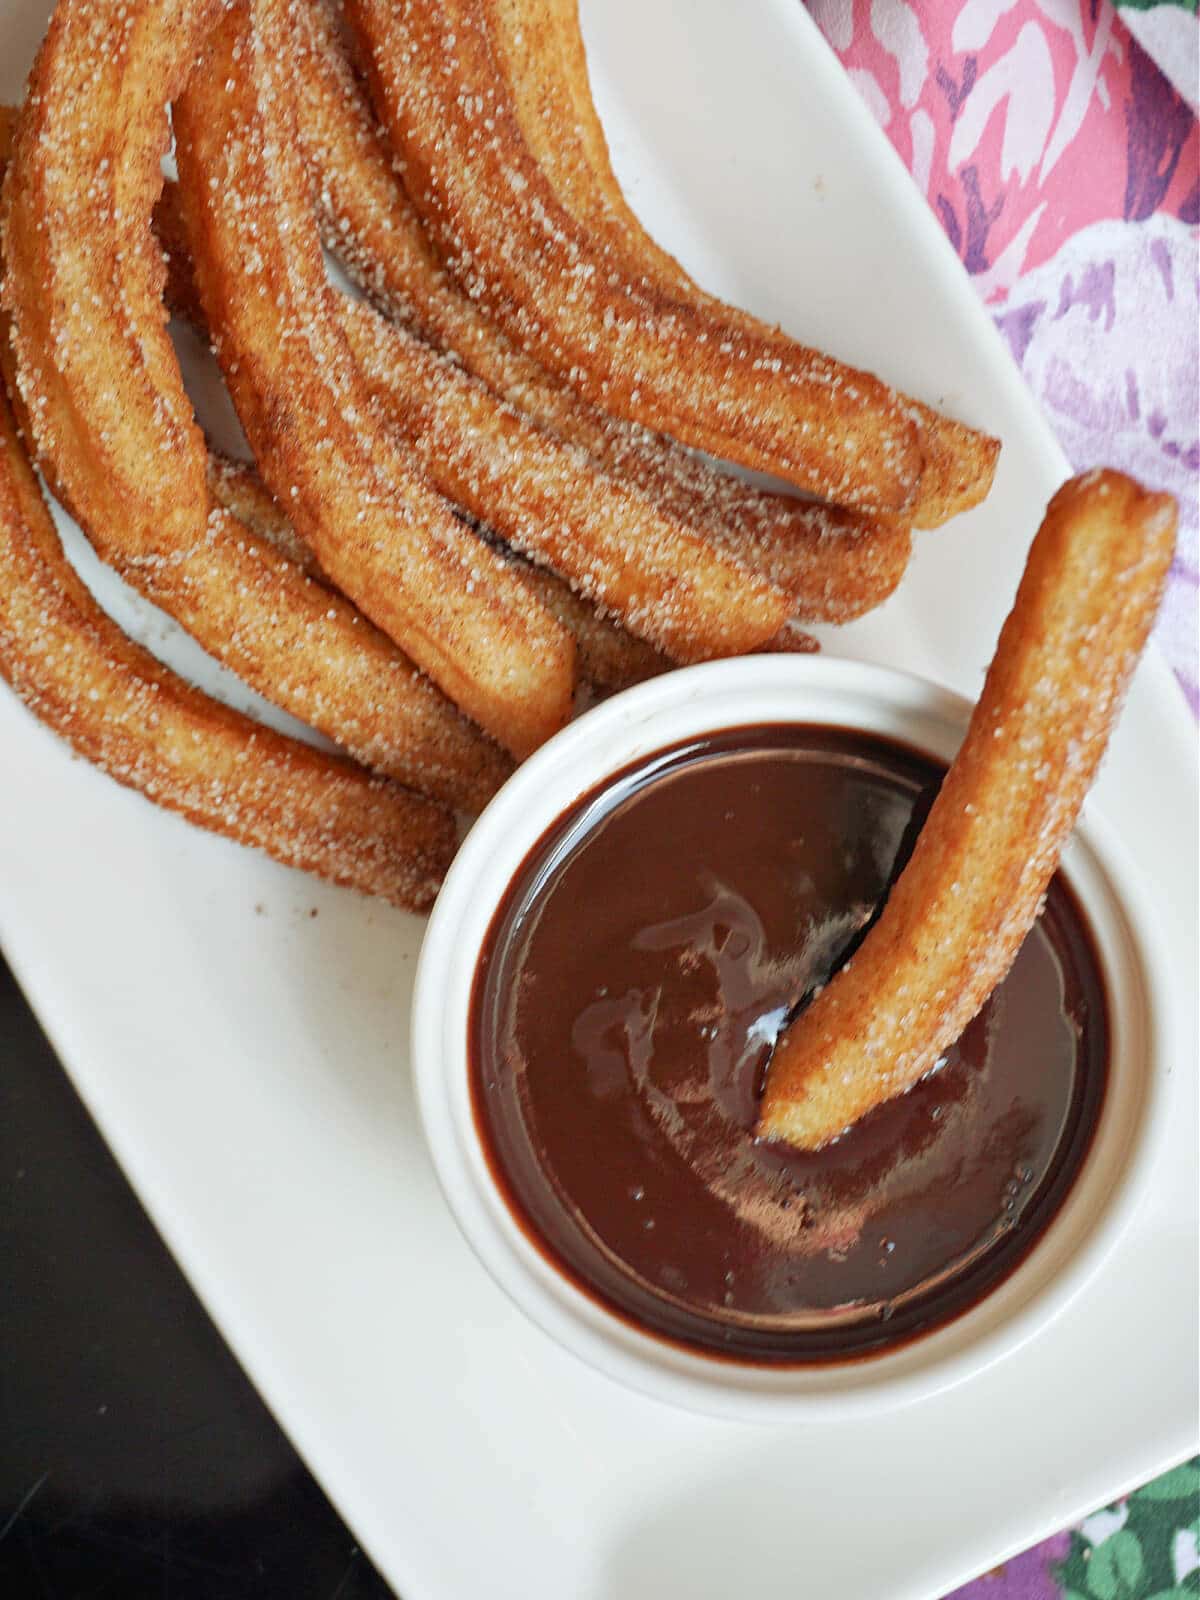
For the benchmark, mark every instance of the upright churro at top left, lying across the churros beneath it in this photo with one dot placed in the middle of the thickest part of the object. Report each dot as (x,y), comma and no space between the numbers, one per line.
(95,367)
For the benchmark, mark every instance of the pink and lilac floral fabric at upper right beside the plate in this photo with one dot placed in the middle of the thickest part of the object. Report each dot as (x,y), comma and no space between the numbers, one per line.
(1065,170)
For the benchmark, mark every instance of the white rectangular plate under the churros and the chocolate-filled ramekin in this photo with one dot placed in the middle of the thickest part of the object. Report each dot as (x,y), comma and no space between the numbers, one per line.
(247,1062)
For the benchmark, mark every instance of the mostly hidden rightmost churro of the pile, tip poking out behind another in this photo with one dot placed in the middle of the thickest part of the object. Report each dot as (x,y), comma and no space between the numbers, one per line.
(542,54)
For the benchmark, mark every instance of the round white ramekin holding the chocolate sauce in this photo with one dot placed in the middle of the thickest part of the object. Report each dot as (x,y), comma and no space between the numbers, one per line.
(663,713)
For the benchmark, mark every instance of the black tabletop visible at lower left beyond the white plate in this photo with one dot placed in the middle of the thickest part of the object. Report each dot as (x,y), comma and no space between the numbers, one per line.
(137,1462)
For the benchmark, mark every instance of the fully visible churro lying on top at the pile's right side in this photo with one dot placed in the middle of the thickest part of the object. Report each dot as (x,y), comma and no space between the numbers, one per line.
(569,300)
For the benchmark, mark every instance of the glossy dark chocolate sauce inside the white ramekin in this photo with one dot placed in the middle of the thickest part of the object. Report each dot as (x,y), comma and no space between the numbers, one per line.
(625,1007)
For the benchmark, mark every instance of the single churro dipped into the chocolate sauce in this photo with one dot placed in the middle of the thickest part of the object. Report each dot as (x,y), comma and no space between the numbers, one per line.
(962,906)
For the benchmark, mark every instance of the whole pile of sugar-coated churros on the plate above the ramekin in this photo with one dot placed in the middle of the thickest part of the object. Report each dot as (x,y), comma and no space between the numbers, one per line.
(478,486)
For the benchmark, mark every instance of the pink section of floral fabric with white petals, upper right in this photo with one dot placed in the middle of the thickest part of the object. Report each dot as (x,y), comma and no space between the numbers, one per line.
(1022,124)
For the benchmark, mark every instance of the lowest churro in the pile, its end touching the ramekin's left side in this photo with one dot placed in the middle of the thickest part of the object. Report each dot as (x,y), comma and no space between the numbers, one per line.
(150,730)
